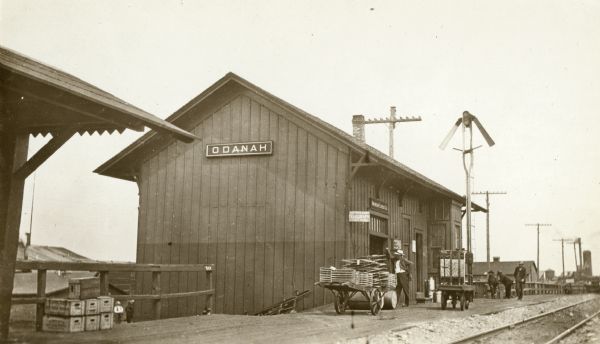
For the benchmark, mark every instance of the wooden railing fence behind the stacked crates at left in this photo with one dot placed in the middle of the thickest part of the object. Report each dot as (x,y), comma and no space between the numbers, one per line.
(104,270)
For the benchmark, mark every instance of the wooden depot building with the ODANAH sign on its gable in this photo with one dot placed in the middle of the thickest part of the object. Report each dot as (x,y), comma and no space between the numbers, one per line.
(270,194)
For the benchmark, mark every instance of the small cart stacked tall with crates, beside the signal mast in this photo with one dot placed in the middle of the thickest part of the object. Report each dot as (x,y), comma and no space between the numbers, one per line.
(453,279)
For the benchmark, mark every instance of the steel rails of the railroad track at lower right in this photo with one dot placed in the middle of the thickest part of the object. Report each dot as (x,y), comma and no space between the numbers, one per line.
(489,334)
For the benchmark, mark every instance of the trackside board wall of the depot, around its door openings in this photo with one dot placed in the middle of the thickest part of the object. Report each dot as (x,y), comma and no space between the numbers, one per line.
(405,219)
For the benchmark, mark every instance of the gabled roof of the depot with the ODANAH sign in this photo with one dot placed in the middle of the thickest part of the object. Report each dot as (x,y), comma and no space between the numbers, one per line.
(120,166)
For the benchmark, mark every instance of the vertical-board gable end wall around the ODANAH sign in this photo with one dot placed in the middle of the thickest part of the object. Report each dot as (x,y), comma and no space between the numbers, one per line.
(267,222)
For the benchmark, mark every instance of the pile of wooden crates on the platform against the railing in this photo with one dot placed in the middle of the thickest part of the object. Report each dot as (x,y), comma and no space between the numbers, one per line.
(84,310)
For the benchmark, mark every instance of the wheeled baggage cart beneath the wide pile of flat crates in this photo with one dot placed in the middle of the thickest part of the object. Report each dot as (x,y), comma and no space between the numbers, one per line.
(344,291)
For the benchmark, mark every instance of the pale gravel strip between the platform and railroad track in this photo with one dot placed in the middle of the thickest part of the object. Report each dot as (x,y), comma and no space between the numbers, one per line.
(448,330)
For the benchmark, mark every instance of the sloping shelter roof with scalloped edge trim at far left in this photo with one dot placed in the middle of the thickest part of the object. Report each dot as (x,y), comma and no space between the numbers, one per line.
(40,99)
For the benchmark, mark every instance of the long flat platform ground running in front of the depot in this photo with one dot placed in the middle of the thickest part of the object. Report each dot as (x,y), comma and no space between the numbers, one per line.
(321,325)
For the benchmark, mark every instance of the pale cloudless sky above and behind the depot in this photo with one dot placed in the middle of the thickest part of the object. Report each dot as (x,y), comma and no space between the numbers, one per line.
(528,69)
